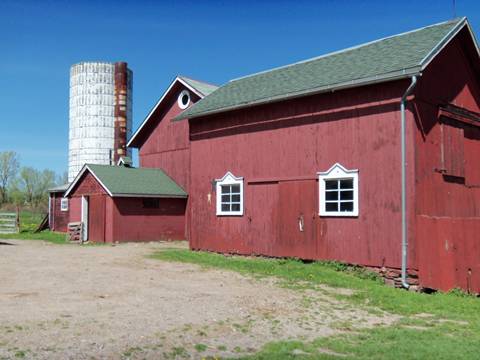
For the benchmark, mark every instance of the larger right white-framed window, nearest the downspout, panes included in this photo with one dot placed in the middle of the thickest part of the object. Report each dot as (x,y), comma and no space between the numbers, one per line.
(338,191)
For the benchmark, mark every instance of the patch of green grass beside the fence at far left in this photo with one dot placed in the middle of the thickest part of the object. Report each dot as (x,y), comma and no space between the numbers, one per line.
(29,222)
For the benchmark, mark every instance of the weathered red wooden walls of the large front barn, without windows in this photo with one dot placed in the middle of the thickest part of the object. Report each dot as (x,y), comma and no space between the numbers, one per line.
(278,148)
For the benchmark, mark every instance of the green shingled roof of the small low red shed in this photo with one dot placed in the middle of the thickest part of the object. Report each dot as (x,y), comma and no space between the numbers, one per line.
(125,181)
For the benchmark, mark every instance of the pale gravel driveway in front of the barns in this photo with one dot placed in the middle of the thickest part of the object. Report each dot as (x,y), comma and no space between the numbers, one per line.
(113,302)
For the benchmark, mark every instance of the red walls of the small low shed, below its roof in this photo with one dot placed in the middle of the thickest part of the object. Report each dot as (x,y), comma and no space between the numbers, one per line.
(125,219)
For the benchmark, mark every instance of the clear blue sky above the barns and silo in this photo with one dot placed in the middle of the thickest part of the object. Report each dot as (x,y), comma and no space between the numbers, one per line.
(212,41)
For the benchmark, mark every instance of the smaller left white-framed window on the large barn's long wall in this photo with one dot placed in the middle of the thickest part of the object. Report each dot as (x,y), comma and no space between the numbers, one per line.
(229,191)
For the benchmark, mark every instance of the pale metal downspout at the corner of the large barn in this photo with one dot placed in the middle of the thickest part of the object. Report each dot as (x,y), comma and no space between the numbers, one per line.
(404,182)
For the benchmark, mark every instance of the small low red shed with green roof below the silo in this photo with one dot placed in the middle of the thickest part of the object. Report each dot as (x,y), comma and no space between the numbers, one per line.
(120,203)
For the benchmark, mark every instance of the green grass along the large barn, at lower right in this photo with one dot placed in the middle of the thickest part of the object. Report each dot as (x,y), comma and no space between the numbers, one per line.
(436,326)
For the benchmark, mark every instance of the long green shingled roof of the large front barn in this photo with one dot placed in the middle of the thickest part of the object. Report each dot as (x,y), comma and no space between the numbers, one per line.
(382,60)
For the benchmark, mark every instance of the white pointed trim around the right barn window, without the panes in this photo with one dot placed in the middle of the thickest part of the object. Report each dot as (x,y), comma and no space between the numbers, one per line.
(338,172)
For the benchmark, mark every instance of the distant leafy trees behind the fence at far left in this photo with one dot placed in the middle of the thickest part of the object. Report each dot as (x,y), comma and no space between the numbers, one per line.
(25,185)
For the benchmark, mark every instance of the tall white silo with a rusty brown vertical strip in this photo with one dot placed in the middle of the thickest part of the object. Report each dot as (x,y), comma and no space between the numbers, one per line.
(100,114)
